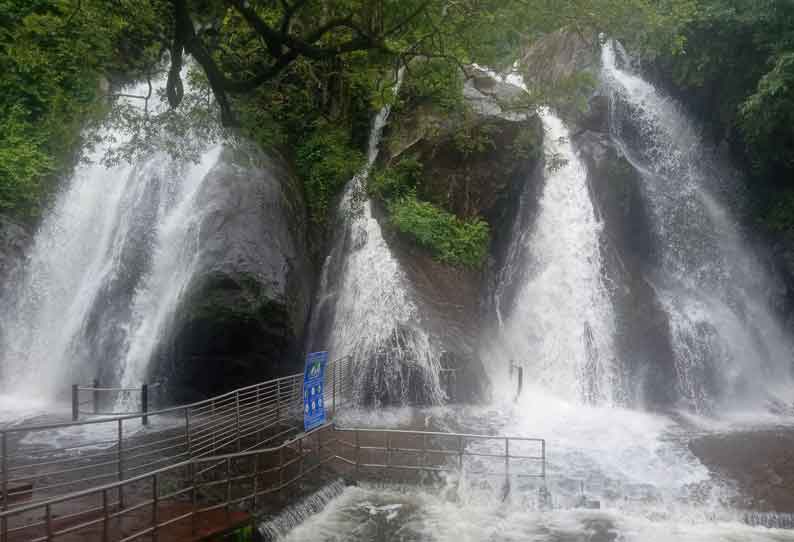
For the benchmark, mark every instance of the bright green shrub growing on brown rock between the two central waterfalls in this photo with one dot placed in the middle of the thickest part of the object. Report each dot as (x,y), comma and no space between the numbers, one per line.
(450,239)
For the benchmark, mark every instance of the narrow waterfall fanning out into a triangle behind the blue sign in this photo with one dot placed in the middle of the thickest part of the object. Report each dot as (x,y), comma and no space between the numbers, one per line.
(366,305)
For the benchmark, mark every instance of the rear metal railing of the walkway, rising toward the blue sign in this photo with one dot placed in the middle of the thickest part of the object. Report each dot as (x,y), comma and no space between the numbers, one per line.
(42,461)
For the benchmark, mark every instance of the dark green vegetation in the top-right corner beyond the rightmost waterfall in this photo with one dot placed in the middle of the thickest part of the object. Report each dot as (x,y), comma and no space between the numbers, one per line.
(735,68)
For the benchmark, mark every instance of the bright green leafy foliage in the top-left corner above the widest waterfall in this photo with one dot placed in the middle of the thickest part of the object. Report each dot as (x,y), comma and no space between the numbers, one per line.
(52,56)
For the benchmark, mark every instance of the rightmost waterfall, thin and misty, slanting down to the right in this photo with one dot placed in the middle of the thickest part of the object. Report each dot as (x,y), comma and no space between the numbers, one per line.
(728,344)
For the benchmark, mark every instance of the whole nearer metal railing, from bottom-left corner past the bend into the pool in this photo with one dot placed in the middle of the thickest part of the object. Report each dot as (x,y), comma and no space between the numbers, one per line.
(171,502)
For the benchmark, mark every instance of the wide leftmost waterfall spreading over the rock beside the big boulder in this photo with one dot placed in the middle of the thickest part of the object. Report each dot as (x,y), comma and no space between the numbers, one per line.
(106,269)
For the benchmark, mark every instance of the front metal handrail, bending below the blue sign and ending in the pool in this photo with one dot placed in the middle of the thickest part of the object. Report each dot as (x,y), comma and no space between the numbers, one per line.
(224,487)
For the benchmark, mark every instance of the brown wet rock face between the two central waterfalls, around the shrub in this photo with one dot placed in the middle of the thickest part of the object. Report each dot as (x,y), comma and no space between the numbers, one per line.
(484,180)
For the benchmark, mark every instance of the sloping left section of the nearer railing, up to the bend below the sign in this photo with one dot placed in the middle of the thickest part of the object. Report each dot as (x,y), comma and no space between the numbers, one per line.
(172,502)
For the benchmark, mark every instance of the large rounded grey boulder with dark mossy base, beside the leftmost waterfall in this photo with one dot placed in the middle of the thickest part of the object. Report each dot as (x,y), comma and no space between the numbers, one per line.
(242,319)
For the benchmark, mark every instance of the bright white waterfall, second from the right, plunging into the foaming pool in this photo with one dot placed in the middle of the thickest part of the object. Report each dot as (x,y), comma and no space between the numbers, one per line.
(560,324)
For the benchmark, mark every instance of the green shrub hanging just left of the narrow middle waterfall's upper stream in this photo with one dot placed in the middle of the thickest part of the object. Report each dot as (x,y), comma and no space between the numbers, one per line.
(326,161)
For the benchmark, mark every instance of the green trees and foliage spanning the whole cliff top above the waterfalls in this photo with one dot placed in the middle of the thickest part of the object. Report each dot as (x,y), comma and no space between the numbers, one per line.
(307,74)
